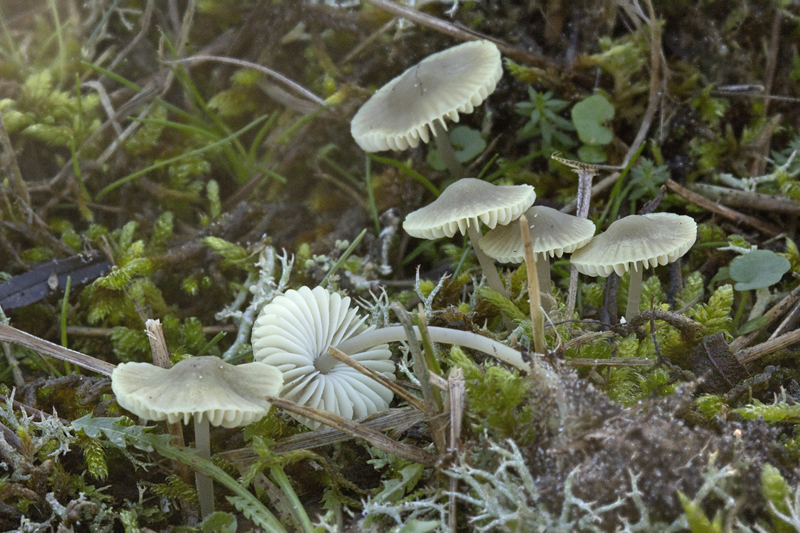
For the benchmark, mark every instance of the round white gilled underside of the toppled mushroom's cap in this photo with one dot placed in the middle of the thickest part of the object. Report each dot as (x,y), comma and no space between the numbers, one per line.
(293,334)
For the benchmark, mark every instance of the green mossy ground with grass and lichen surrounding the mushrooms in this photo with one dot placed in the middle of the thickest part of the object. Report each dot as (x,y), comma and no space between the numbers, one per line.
(206,171)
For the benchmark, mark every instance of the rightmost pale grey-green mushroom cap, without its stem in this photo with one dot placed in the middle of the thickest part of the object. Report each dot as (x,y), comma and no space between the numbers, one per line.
(637,241)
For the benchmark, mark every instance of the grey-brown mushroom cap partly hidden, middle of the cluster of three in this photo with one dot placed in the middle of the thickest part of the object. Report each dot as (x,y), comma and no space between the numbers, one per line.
(553,234)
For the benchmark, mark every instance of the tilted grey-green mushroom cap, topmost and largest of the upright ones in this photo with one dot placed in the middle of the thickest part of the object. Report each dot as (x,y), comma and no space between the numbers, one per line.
(442,85)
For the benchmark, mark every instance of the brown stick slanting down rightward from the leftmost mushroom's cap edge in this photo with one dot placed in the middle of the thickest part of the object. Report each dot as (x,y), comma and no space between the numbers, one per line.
(379,440)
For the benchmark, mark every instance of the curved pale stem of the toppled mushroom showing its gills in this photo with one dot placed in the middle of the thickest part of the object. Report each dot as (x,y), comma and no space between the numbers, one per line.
(467,339)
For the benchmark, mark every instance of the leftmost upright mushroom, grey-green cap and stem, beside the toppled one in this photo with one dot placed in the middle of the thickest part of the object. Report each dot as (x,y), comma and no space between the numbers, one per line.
(206,388)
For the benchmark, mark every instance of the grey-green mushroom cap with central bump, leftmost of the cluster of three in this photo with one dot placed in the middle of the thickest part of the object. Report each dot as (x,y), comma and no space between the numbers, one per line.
(466,202)
